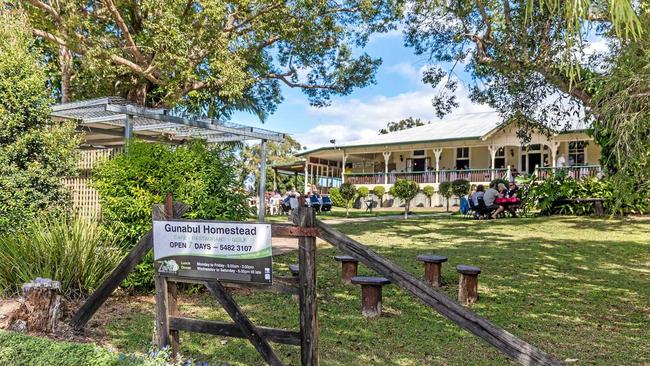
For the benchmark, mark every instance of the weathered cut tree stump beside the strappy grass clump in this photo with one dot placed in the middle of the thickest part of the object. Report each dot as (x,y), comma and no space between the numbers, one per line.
(40,310)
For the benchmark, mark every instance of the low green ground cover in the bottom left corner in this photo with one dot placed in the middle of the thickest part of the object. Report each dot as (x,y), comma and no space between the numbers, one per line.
(21,350)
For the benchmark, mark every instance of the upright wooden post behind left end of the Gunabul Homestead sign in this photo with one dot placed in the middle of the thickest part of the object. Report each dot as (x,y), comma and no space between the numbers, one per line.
(166,297)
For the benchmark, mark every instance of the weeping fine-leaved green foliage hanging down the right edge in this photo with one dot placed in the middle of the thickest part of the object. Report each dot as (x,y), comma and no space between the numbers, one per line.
(624,118)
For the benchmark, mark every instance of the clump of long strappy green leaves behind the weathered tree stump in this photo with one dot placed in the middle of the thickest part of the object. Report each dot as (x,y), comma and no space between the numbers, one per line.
(73,250)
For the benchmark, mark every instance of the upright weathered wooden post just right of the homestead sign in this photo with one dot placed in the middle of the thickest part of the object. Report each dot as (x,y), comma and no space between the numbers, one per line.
(308,305)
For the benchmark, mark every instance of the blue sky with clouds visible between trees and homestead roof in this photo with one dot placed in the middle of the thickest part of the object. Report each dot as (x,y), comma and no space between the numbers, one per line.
(399,93)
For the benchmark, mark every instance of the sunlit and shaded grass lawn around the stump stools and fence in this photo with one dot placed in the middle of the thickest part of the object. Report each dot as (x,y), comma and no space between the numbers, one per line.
(578,288)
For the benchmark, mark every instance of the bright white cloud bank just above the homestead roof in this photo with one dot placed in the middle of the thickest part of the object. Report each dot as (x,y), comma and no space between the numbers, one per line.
(353,119)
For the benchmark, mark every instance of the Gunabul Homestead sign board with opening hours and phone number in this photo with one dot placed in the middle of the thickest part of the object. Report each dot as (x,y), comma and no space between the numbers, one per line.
(232,251)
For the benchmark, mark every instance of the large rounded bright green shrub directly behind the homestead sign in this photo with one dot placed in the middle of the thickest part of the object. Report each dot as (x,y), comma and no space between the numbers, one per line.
(204,177)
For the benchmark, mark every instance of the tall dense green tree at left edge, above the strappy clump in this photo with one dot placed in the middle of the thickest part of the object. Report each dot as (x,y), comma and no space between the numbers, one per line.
(35,153)
